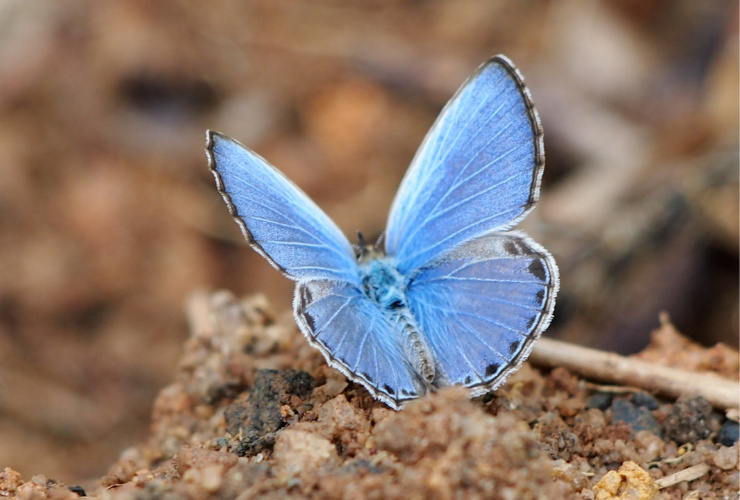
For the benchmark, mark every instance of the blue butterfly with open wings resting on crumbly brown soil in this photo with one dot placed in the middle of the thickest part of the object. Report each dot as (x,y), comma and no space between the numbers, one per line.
(456,297)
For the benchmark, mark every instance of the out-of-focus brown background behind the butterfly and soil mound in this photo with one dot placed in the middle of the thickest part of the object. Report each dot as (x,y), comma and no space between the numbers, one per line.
(109,217)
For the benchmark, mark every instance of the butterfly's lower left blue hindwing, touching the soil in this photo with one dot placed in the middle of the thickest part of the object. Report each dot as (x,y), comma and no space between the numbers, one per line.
(355,338)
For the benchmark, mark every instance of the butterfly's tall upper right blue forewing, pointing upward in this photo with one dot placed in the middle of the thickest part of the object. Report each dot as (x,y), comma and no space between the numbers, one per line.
(478,169)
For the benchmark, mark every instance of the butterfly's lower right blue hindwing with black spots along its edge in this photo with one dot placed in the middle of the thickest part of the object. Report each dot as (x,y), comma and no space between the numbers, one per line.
(482,305)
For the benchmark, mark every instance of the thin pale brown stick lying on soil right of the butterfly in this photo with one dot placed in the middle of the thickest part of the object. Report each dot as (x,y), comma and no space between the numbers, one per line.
(616,369)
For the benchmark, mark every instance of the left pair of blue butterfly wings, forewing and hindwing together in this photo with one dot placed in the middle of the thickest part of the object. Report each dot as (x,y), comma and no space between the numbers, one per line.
(288,229)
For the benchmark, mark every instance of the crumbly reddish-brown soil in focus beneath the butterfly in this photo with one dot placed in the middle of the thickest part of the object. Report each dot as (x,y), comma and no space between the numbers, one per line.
(255,412)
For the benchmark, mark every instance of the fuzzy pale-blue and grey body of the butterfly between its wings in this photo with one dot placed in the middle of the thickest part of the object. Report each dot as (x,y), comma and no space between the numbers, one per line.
(385,286)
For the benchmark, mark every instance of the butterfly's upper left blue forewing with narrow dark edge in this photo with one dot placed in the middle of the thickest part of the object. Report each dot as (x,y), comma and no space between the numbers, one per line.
(278,219)
